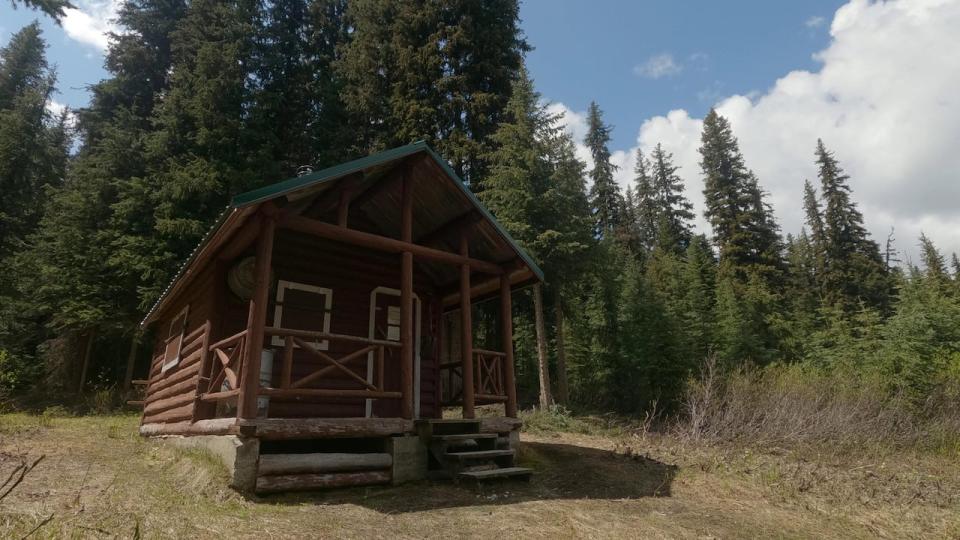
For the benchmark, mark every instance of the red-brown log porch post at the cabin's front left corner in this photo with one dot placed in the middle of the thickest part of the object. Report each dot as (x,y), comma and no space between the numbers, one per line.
(257,318)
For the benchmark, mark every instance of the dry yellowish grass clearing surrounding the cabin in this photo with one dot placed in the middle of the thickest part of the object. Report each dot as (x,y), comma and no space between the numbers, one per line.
(596,477)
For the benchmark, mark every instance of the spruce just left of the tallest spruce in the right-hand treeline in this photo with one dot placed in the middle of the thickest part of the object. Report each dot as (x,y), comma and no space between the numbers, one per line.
(674,211)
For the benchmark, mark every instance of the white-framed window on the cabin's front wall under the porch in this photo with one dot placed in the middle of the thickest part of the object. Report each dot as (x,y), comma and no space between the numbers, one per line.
(302,307)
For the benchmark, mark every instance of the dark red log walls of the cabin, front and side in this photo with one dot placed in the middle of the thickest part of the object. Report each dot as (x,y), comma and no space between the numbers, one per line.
(351,273)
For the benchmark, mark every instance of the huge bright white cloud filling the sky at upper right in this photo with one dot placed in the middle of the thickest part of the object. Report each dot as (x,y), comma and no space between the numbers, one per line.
(884,101)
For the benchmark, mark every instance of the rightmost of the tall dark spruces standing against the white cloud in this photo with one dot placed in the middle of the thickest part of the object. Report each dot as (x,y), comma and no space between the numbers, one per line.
(854,270)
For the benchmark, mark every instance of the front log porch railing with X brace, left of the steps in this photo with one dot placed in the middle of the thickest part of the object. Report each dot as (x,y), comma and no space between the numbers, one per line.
(375,388)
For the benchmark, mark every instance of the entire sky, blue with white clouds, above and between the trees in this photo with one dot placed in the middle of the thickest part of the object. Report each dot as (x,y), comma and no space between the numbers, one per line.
(877,81)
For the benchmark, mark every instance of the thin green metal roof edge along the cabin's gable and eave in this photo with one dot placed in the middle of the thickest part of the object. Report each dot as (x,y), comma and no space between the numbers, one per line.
(290,185)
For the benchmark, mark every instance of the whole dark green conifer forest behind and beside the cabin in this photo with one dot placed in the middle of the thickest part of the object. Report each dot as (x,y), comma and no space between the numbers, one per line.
(207,99)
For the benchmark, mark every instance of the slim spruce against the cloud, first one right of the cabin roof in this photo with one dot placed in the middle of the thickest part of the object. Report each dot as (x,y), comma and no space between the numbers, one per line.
(605,196)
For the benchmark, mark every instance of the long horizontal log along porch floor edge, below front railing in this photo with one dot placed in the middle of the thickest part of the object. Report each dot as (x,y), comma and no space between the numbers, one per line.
(316,428)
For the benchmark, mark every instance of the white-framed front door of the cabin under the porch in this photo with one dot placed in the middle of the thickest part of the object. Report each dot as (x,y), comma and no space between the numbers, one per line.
(385,325)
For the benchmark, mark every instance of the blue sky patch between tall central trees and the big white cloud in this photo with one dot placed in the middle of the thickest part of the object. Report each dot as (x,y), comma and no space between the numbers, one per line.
(596,51)
